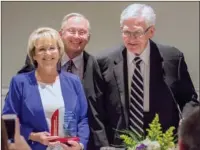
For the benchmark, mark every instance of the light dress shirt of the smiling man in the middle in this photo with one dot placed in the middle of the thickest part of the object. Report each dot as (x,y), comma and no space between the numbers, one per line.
(78,62)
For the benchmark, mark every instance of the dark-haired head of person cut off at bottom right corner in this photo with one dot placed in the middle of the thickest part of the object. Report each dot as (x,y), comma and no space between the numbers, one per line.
(189,130)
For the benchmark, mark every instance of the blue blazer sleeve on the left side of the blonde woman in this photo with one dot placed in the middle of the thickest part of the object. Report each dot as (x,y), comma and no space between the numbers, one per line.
(13,104)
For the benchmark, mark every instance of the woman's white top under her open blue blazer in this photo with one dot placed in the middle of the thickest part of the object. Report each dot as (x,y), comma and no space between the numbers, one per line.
(52,99)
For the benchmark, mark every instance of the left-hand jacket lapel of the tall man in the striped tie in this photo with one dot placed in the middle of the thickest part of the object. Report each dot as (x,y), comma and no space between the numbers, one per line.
(121,76)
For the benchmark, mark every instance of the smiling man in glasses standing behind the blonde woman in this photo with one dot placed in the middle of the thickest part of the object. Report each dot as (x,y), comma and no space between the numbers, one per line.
(75,33)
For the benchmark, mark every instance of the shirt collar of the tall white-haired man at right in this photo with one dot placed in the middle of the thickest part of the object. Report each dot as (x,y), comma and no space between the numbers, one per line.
(144,55)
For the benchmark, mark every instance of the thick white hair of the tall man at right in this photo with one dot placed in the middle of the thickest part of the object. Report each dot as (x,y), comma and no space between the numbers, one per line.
(139,10)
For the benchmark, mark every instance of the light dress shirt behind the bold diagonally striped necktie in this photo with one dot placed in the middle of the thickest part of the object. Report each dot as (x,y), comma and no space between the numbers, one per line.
(145,70)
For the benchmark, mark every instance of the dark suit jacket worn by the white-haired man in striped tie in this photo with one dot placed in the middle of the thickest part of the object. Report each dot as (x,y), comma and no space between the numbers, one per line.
(170,83)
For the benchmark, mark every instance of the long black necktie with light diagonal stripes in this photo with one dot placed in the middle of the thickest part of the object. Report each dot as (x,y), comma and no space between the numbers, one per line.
(136,100)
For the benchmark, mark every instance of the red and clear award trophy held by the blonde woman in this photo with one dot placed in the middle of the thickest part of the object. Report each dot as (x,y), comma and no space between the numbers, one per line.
(63,124)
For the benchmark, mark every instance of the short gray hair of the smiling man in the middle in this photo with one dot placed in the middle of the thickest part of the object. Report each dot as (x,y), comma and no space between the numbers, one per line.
(68,16)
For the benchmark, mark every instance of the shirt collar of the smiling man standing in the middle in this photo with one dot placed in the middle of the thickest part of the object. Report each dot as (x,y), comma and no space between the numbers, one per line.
(78,60)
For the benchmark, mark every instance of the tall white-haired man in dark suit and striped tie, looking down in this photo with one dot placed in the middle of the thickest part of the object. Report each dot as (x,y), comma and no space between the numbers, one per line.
(141,78)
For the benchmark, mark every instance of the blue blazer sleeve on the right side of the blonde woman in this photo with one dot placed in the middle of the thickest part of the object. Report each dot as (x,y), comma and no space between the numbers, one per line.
(83,127)
